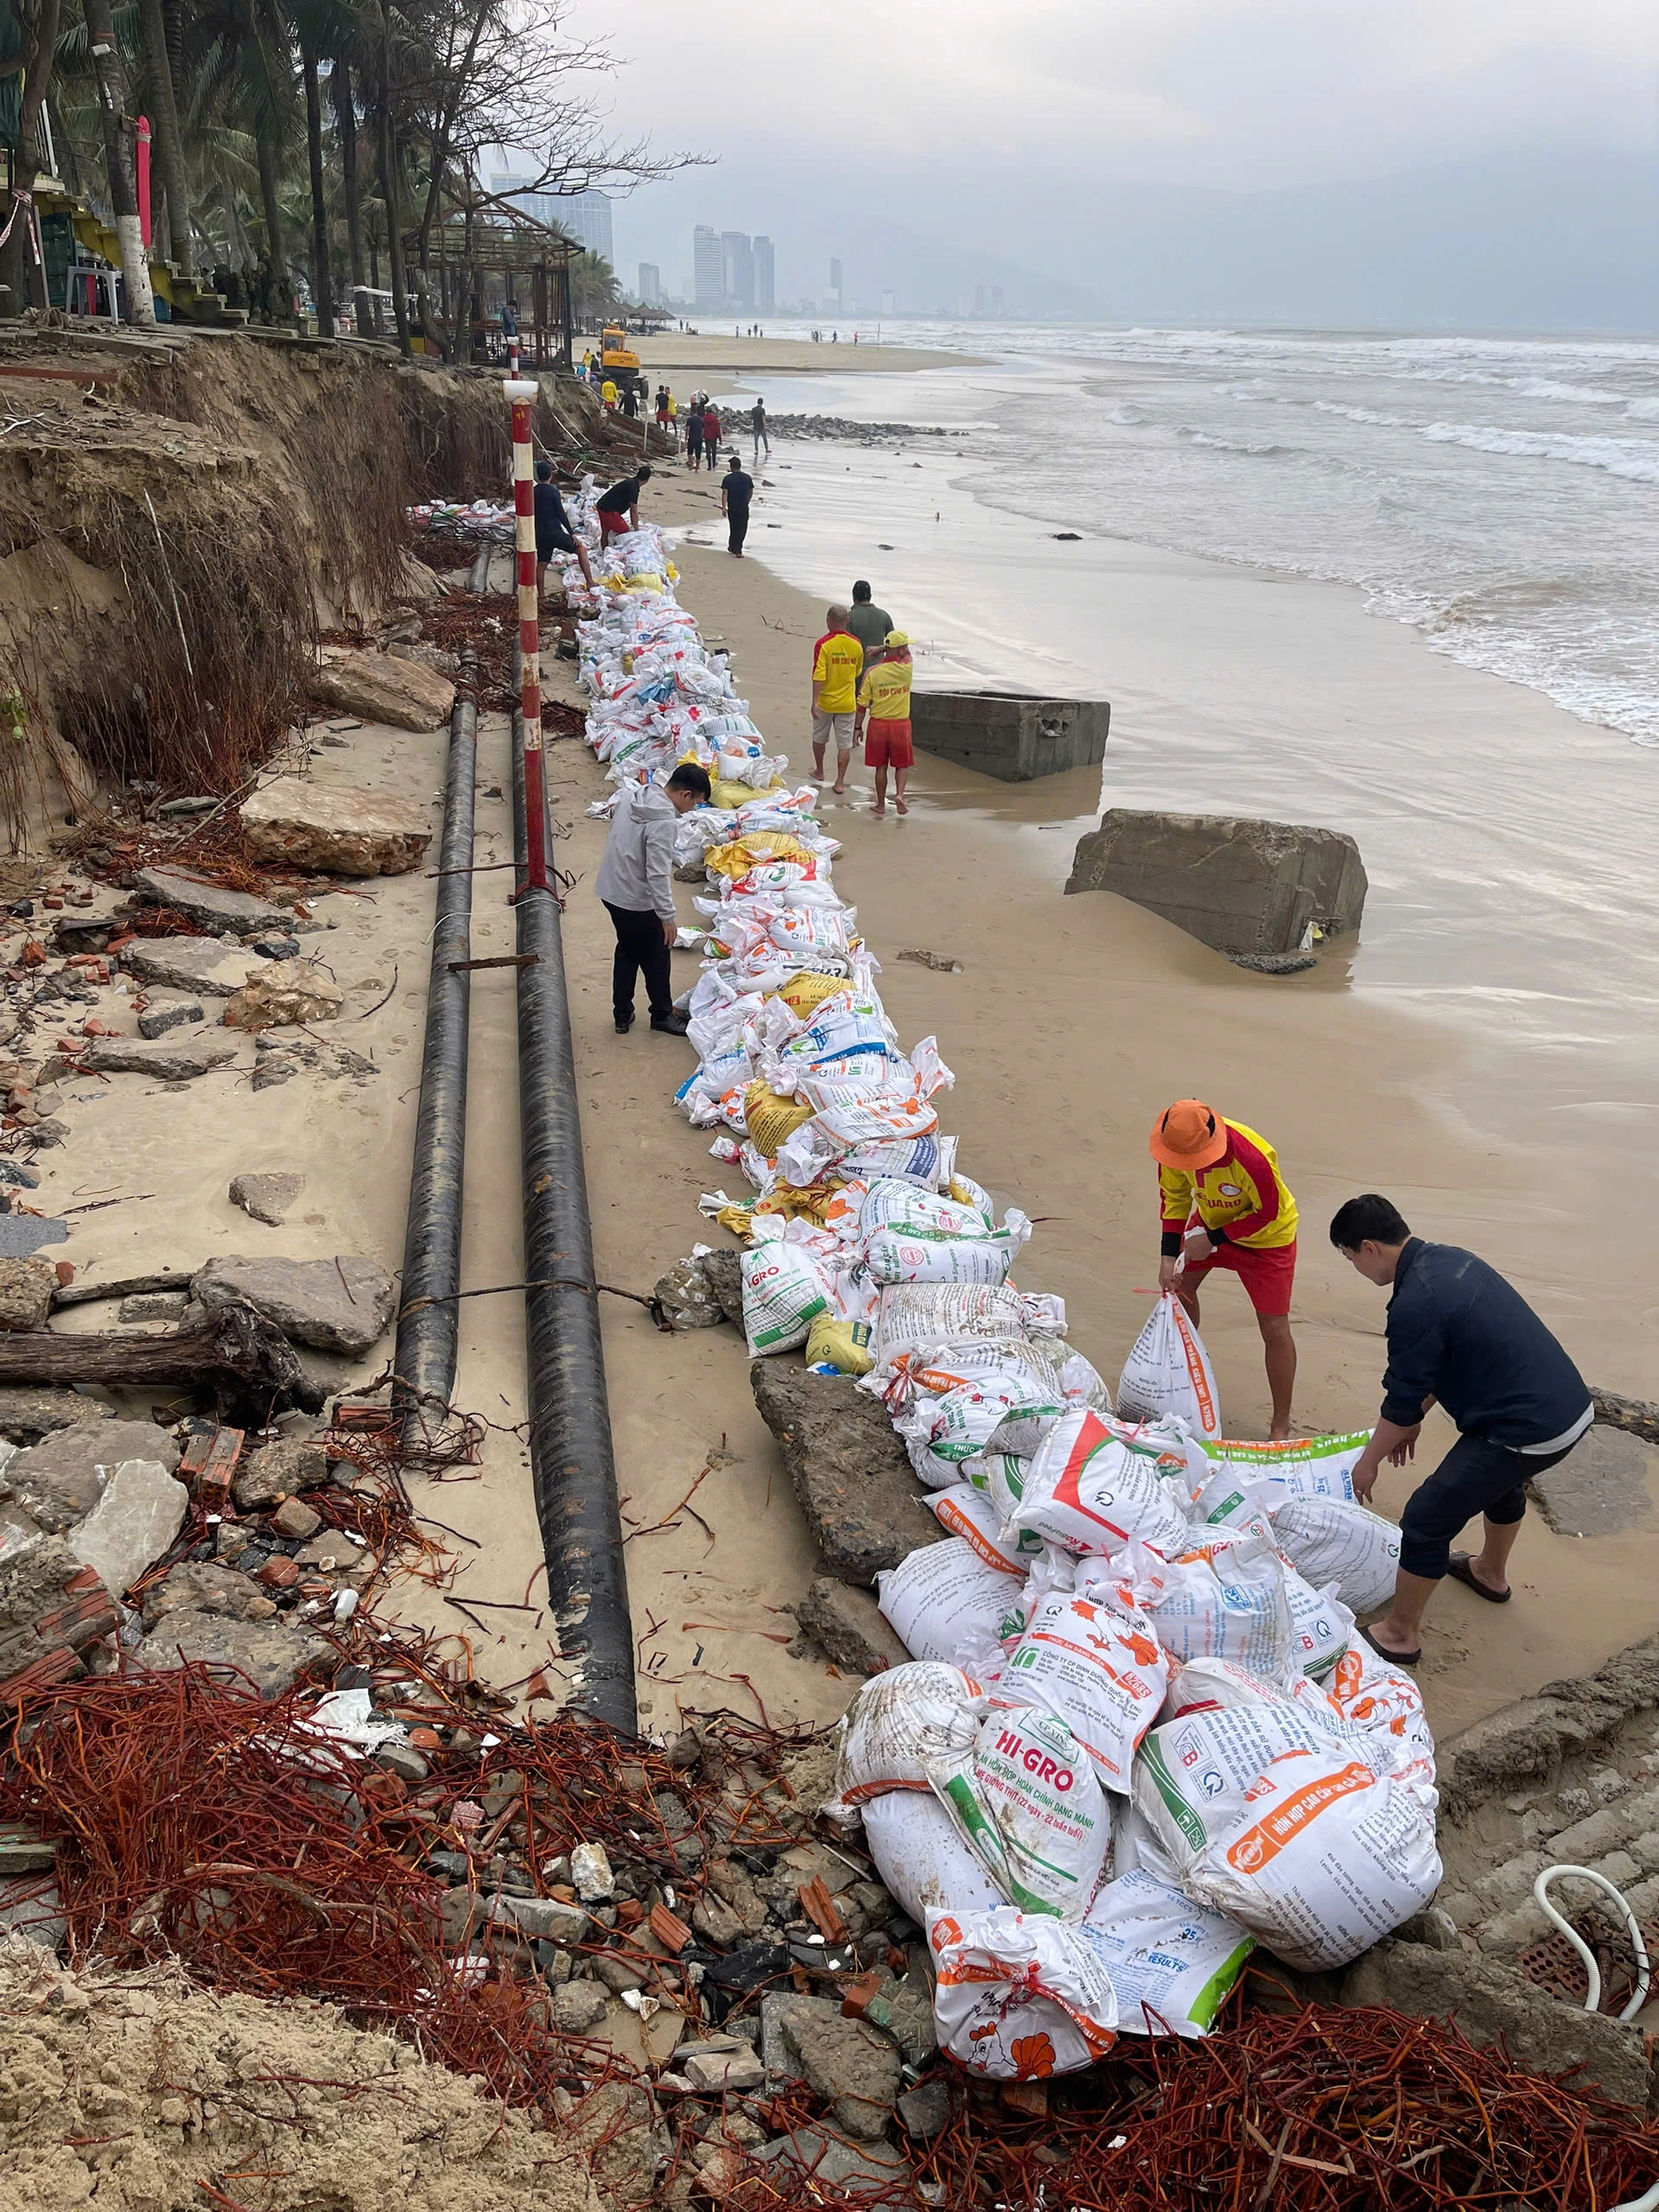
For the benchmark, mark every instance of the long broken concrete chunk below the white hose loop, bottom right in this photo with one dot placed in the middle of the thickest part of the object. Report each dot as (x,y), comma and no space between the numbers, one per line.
(1492,2003)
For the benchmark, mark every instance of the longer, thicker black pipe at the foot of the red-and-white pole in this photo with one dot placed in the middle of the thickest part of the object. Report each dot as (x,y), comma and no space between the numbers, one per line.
(572,1459)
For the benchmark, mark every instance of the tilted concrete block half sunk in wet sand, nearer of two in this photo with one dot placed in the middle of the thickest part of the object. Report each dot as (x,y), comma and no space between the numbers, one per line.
(1249,888)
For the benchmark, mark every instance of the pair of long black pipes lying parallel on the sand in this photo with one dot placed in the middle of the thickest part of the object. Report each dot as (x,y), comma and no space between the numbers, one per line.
(572,1459)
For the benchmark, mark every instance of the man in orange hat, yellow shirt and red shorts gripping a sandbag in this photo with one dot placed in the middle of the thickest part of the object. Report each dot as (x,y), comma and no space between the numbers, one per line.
(1224,1204)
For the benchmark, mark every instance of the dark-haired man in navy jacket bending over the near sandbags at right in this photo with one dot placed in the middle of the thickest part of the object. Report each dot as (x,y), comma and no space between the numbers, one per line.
(1465,1339)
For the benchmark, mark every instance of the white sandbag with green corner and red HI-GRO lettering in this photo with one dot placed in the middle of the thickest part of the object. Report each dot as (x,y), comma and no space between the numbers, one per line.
(1030,1804)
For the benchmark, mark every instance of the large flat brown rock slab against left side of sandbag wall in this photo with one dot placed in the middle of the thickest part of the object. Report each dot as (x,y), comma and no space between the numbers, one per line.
(848,1470)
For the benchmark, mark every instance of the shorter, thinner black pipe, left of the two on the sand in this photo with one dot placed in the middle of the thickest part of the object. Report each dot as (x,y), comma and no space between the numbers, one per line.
(430,1317)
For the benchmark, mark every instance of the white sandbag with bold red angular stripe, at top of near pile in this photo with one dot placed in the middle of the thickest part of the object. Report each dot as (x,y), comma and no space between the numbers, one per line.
(1096,1488)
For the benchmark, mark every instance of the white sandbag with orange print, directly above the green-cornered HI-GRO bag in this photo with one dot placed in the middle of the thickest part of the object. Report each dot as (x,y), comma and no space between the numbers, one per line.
(1092,1658)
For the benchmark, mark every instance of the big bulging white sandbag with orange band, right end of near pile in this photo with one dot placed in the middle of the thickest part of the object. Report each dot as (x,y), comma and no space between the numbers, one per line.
(1324,1864)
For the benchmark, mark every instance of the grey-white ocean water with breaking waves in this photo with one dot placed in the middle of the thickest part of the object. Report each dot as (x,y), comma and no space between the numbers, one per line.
(1496,494)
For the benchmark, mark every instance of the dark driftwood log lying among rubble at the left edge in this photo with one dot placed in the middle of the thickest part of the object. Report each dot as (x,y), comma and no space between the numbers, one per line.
(236,1355)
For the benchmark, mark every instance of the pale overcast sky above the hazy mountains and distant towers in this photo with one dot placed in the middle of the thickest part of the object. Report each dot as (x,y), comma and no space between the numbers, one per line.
(992,121)
